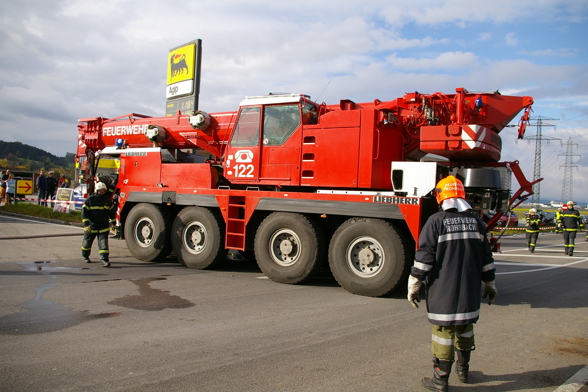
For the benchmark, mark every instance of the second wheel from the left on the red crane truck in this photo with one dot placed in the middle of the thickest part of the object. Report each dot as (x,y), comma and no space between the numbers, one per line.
(197,238)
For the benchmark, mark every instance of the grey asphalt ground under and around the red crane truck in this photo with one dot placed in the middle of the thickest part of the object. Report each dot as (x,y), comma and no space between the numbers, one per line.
(70,326)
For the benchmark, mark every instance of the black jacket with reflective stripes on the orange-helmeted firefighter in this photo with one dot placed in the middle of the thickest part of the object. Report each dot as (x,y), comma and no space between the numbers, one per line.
(453,258)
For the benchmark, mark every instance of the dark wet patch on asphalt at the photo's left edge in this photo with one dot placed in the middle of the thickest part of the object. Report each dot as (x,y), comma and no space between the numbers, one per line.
(45,316)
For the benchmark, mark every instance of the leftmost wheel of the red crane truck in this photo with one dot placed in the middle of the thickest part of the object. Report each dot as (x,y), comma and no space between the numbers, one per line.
(147,232)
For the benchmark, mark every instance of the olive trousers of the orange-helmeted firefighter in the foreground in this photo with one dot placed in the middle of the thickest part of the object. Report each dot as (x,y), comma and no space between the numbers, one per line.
(446,339)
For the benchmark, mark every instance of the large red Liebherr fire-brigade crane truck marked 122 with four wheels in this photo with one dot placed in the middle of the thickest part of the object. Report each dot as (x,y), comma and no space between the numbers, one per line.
(301,186)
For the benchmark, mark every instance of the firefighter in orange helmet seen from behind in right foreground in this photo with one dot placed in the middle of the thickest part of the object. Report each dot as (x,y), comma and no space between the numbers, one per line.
(453,259)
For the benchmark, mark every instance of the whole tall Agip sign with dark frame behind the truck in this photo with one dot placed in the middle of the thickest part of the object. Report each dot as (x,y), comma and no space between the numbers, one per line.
(183,78)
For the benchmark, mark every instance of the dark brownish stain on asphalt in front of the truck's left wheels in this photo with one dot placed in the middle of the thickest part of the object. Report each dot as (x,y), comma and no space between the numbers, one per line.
(151,299)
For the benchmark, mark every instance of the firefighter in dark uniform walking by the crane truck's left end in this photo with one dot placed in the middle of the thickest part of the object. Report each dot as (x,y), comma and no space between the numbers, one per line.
(97,216)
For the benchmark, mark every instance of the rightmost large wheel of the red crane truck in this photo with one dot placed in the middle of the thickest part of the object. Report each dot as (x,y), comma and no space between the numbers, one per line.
(368,257)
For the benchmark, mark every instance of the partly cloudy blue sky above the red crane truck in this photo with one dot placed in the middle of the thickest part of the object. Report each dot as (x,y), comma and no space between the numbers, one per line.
(61,60)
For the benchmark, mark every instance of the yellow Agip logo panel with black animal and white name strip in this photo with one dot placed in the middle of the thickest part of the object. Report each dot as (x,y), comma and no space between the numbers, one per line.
(180,71)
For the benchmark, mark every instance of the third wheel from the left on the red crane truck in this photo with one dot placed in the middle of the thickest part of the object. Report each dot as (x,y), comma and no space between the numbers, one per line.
(289,248)
